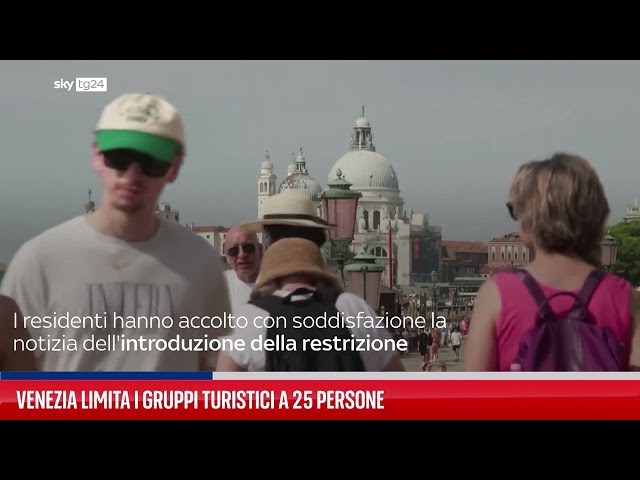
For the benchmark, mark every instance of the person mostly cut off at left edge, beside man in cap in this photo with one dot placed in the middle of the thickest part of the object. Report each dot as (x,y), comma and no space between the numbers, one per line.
(12,328)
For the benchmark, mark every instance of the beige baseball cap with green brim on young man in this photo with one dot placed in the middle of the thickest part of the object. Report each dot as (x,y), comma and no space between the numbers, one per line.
(143,122)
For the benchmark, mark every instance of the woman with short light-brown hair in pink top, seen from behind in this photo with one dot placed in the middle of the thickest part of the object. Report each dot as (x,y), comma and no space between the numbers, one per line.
(561,209)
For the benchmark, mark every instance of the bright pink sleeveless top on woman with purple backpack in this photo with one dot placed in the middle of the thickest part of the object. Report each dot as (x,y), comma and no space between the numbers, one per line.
(609,305)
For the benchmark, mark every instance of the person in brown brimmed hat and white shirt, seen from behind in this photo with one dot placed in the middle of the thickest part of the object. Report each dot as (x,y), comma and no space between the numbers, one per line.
(288,265)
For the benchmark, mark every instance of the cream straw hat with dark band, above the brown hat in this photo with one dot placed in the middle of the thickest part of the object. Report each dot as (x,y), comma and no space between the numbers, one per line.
(289,208)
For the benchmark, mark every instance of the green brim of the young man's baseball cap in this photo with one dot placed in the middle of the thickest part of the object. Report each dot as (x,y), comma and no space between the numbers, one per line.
(160,148)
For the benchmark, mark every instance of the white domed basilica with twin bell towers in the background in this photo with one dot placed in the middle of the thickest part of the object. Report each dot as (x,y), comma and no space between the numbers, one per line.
(402,240)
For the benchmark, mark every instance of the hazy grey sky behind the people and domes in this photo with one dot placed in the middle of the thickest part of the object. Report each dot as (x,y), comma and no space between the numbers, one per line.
(455,131)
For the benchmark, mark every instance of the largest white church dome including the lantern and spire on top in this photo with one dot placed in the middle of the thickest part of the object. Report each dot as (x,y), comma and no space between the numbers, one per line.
(362,166)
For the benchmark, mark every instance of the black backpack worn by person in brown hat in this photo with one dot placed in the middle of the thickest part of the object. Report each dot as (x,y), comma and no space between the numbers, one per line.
(319,303)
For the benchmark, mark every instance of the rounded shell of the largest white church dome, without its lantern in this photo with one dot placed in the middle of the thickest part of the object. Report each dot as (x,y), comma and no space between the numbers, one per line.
(365,169)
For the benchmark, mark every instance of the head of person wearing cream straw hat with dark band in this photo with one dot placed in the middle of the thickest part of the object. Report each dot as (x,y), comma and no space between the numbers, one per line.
(290,214)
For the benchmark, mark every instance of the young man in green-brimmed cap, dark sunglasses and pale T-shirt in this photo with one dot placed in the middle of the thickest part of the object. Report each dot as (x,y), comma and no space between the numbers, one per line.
(119,286)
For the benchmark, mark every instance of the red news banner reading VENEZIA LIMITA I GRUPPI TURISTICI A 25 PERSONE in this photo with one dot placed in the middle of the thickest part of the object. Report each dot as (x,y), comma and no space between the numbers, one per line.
(320,399)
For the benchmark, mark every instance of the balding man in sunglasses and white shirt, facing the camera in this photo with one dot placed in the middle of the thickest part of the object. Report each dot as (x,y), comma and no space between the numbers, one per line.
(244,256)
